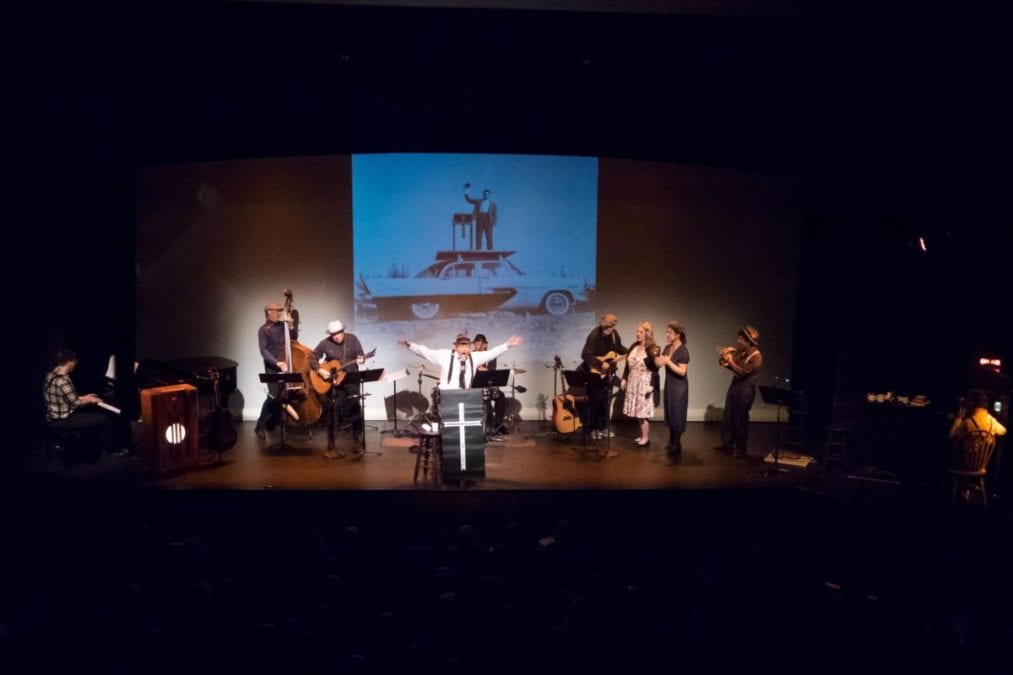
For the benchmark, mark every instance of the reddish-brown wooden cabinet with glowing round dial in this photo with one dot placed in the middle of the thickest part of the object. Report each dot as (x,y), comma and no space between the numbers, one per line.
(170,416)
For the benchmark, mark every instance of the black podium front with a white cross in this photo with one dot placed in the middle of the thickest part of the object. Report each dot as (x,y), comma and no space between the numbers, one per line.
(463,434)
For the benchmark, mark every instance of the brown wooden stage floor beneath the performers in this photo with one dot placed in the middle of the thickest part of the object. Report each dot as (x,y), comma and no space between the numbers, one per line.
(534,459)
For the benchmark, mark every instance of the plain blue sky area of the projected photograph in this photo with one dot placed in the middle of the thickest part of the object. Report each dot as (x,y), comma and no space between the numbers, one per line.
(404,206)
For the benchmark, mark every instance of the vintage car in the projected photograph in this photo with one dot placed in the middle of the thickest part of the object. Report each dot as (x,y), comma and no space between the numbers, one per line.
(471,281)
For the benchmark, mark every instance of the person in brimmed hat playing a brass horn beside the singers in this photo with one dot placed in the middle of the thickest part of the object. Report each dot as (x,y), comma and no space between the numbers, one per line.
(745,361)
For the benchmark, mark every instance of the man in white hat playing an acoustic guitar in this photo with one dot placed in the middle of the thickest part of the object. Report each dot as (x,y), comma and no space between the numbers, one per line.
(345,348)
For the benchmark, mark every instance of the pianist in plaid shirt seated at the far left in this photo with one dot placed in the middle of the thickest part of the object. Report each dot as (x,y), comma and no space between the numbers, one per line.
(66,411)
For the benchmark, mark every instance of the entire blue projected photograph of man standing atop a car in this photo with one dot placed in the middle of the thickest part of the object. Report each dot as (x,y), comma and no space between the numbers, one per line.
(442,237)
